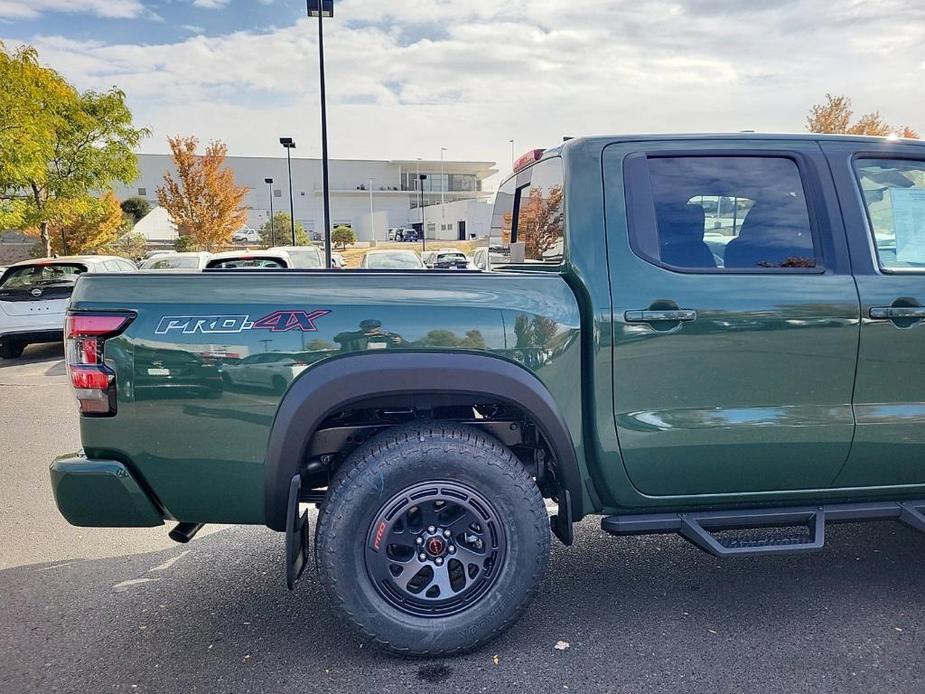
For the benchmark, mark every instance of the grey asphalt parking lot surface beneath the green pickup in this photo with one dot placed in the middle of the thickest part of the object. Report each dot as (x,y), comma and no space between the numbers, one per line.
(88,610)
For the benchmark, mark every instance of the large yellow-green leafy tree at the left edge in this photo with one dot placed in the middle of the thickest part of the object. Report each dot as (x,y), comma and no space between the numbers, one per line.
(57,145)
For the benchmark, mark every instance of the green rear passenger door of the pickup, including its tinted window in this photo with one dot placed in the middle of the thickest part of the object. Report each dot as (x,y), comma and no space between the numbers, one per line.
(735,316)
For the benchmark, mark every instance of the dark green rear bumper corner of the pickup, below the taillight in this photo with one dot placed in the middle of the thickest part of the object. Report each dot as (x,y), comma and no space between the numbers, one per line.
(100,493)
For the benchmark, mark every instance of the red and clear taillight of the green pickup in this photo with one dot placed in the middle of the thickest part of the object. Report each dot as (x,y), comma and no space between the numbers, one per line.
(93,381)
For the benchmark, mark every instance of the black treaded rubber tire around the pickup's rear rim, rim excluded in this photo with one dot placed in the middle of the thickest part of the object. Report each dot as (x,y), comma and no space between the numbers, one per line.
(388,464)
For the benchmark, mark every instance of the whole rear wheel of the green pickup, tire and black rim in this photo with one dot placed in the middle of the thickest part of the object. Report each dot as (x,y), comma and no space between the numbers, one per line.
(433,539)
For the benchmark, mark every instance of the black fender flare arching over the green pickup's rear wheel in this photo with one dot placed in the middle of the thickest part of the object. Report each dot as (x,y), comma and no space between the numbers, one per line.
(336,383)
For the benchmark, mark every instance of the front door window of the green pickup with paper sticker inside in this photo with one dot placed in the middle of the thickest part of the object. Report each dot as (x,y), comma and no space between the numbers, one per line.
(894,195)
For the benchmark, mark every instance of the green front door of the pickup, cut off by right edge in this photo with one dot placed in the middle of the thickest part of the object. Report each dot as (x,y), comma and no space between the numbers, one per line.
(882,188)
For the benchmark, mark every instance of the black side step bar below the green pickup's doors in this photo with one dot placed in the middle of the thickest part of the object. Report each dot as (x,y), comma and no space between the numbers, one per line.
(699,527)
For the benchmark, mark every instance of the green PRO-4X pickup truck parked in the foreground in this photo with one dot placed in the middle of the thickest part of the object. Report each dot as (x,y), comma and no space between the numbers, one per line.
(716,336)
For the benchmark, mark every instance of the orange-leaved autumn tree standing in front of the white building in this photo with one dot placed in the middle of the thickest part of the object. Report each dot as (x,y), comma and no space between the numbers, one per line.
(203,200)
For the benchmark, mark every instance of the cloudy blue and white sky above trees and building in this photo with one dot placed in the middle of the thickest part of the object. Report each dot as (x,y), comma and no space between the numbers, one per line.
(407,77)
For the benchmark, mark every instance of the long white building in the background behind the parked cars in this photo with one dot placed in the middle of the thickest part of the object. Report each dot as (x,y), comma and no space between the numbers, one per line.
(370,196)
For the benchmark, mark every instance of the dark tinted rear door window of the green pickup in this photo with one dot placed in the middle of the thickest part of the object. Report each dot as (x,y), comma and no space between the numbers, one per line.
(728,212)
